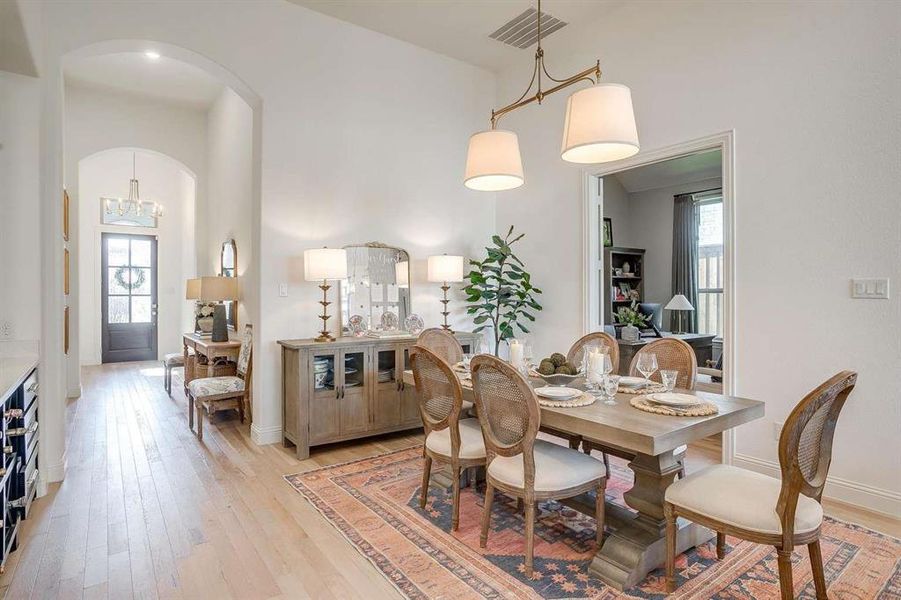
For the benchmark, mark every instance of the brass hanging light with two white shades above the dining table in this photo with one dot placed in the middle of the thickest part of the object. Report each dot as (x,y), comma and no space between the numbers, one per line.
(599,127)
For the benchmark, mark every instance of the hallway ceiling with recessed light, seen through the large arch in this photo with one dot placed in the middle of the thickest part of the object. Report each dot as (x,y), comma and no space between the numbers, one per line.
(165,79)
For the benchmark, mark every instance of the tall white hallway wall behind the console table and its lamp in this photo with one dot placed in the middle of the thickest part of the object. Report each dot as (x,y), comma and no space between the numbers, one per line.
(226,211)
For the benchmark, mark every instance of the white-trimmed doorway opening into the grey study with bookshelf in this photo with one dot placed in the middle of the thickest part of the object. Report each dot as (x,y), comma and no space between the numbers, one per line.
(658,231)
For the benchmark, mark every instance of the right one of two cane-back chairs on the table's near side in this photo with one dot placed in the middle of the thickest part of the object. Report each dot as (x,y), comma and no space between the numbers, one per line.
(519,464)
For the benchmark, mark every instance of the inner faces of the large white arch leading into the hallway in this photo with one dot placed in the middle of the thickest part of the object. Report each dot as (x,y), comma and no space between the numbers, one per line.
(60,370)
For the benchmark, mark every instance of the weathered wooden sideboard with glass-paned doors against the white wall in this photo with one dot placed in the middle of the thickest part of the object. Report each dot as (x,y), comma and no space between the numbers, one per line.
(347,389)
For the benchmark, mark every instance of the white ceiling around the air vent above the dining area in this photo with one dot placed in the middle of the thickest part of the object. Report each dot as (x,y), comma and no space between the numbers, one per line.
(456,28)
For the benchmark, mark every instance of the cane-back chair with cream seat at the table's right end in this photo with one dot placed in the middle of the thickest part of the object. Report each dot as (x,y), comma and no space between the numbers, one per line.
(763,509)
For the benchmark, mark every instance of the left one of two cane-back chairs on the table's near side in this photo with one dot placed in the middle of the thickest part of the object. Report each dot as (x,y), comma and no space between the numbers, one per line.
(448,438)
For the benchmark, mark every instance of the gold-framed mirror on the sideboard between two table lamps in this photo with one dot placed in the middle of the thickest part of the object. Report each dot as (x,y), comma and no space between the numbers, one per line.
(378,282)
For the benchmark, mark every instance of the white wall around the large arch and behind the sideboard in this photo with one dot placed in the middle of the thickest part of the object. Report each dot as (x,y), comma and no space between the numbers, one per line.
(361,137)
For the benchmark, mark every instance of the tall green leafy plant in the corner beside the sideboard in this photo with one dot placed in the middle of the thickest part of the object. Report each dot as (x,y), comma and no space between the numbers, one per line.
(500,291)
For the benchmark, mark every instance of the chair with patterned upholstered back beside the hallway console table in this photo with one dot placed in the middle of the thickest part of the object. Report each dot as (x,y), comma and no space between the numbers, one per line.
(223,393)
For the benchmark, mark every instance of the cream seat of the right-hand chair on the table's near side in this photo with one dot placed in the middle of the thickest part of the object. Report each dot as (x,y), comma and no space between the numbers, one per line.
(556,468)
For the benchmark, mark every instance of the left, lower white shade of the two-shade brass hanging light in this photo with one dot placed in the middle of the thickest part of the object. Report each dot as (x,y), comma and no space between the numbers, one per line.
(493,162)
